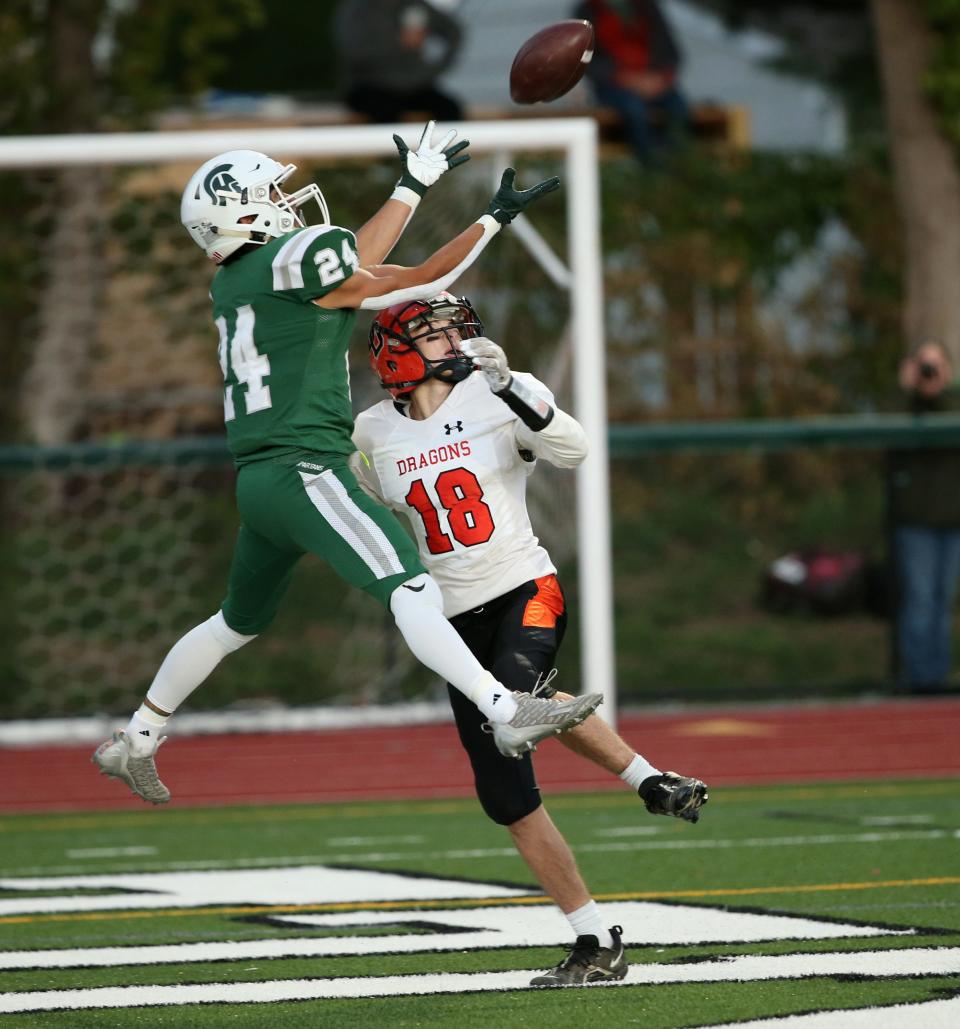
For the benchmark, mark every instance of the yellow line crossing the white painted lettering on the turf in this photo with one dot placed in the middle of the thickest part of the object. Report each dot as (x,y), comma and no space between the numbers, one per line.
(348,906)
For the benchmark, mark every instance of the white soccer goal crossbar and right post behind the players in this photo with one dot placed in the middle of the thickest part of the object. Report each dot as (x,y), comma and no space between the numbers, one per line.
(577,138)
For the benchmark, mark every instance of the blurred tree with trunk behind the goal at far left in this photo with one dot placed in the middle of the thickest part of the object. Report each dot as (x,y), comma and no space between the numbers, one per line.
(75,66)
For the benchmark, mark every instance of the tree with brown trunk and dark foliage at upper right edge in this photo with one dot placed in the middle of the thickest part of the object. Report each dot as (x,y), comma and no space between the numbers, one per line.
(915,45)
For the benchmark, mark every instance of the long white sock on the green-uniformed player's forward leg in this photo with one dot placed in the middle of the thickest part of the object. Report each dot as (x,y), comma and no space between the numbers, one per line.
(418,611)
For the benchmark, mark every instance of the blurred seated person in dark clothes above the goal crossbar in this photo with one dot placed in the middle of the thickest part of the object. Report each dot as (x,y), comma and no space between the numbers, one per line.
(393,53)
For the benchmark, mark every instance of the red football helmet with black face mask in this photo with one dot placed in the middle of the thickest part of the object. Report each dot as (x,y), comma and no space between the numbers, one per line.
(397,360)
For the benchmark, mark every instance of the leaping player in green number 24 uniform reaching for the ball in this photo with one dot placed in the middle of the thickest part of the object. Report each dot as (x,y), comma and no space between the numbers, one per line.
(286,297)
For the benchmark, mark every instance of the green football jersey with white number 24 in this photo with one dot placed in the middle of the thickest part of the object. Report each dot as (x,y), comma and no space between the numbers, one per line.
(285,360)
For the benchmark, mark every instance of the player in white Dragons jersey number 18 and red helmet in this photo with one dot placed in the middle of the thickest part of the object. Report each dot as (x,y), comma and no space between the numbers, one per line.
(452,451)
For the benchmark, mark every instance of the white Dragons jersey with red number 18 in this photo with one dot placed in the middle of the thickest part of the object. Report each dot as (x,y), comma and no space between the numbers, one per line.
(460,479)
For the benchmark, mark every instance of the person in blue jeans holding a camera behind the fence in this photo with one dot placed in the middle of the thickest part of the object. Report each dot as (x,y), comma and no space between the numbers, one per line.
(926,521)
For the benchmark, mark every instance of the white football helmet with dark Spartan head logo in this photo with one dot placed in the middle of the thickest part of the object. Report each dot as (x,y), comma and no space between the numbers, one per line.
(236,186)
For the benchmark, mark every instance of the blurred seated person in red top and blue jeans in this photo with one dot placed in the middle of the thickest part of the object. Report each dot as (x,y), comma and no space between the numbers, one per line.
(634,72)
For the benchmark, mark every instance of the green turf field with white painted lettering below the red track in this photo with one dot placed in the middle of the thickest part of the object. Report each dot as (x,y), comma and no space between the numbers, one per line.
(850,893)
